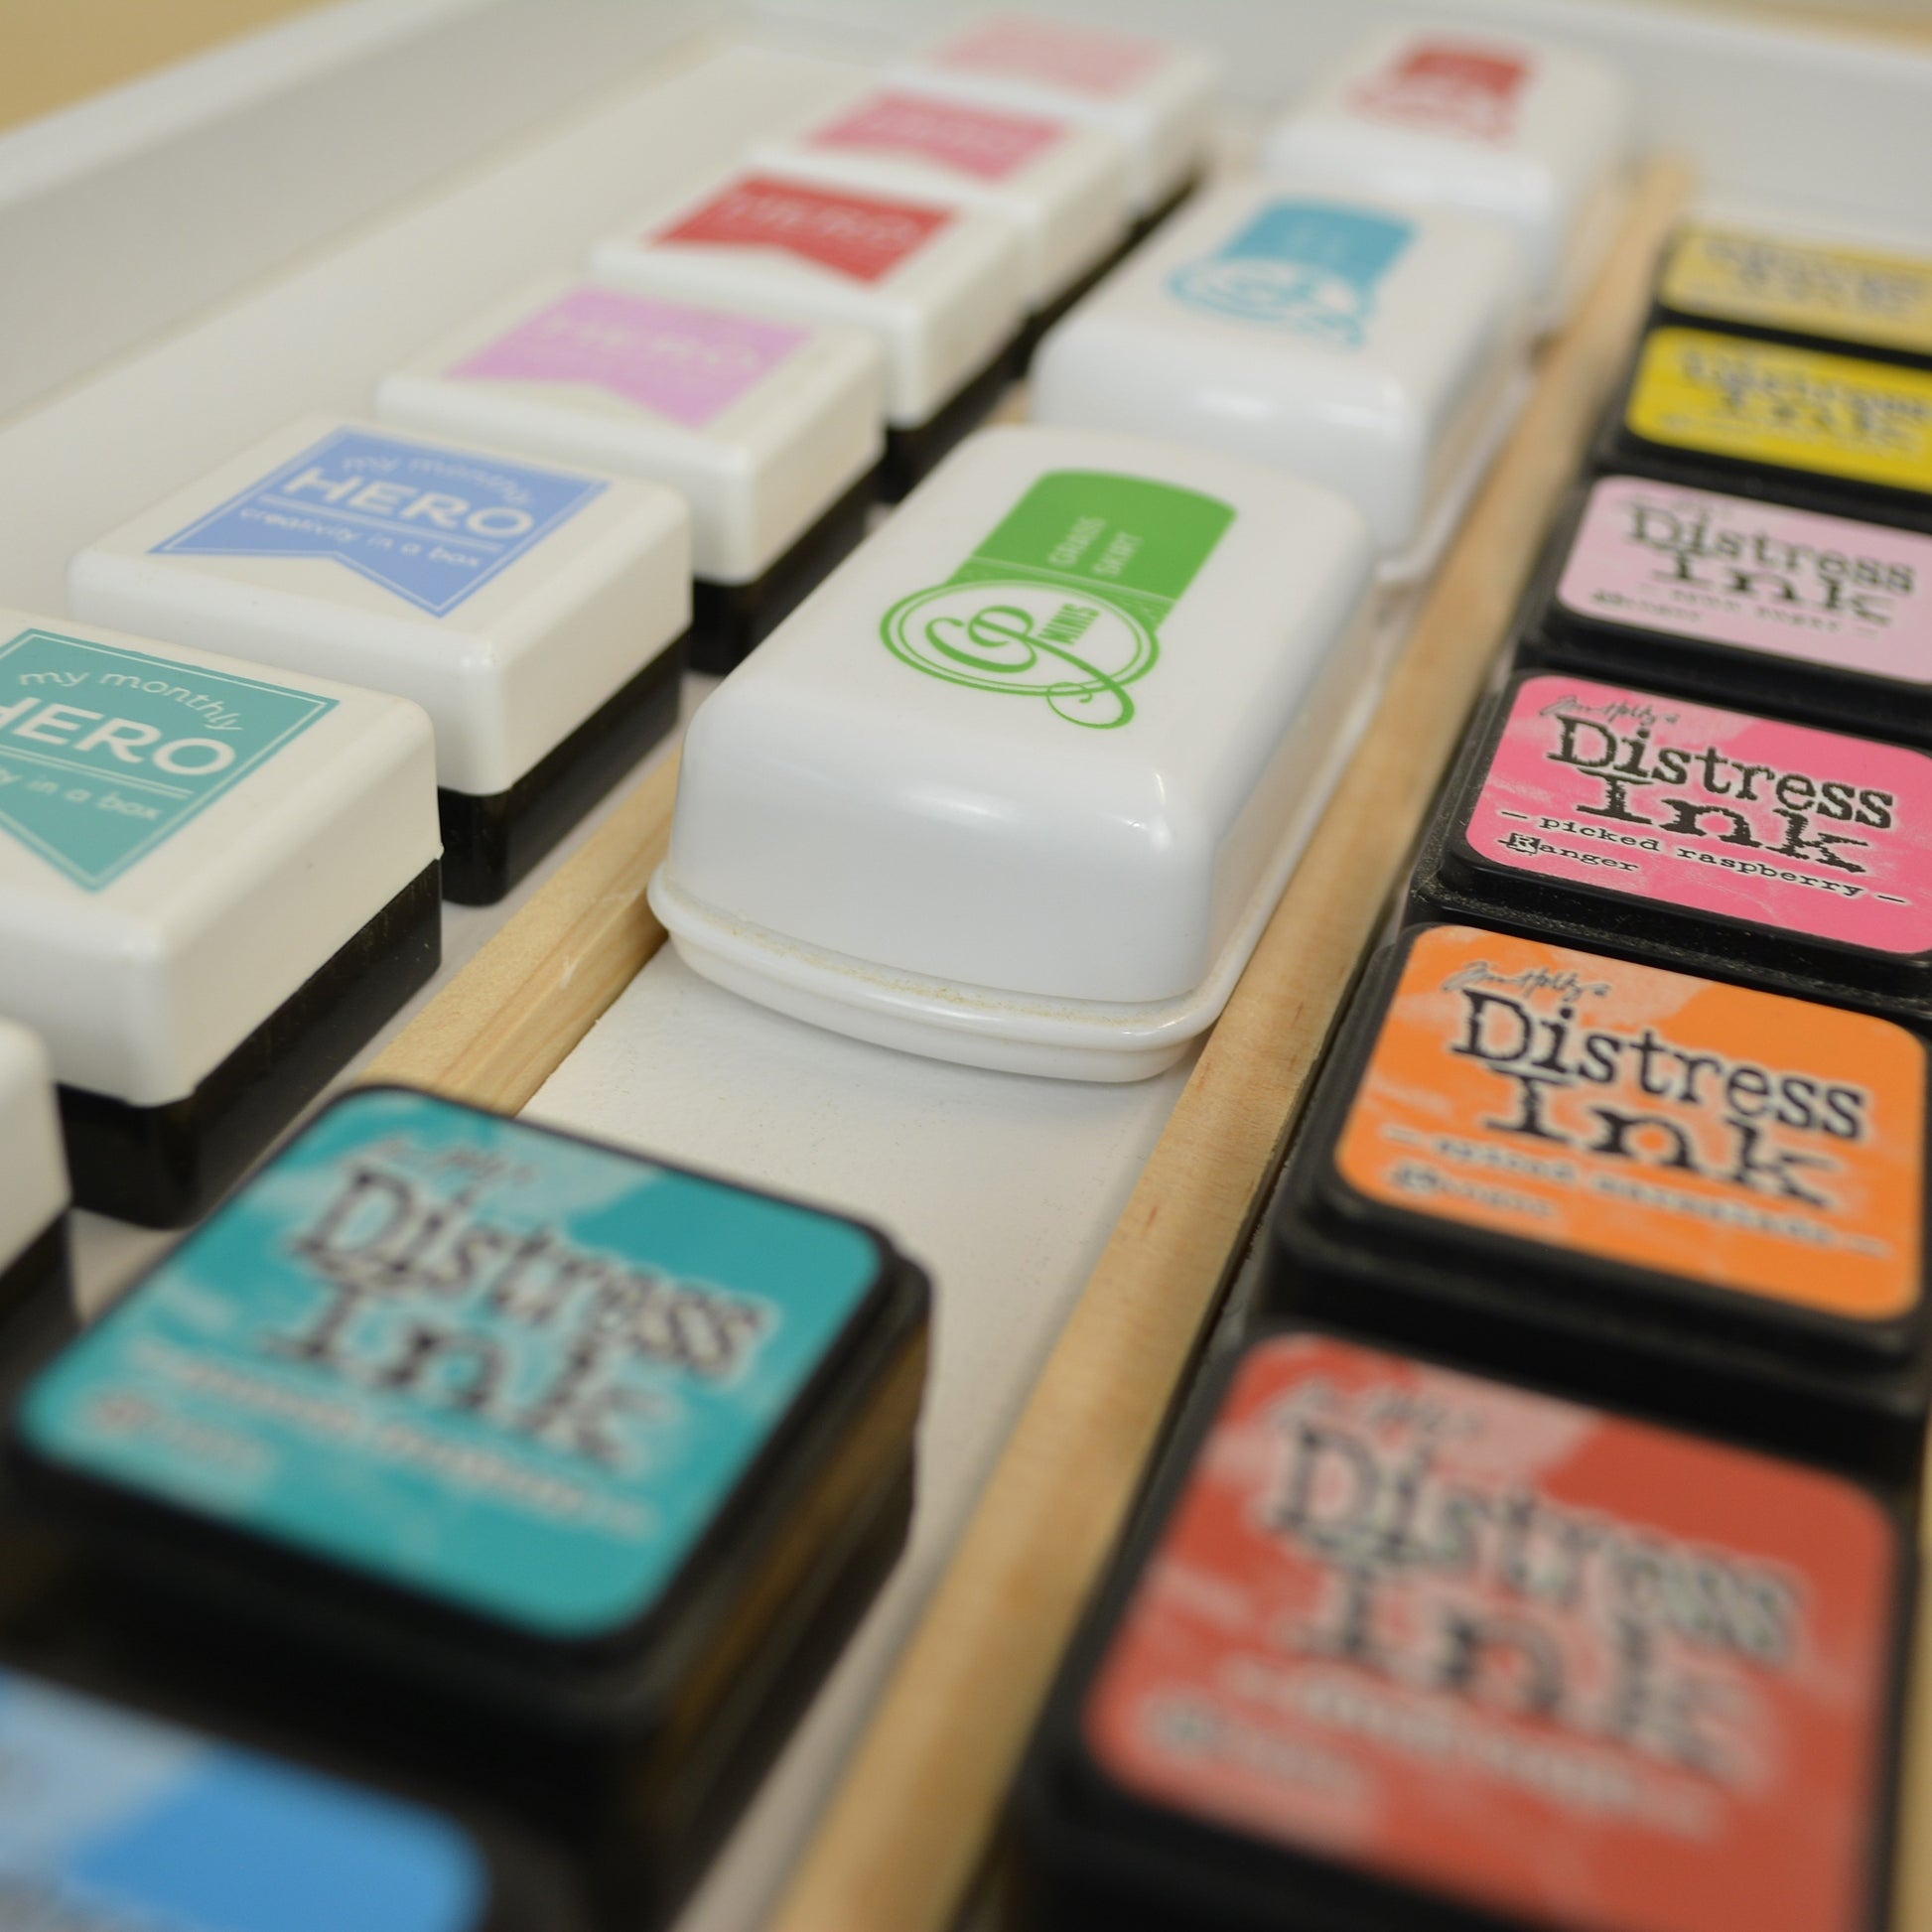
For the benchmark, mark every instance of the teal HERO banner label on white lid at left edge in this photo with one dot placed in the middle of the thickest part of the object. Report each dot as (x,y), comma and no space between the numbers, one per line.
(107,753)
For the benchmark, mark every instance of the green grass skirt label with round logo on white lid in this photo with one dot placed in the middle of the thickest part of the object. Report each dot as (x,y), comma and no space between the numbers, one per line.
(1067,596)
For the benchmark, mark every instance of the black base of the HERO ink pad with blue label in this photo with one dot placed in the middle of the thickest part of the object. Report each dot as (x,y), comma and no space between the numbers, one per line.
(490,843)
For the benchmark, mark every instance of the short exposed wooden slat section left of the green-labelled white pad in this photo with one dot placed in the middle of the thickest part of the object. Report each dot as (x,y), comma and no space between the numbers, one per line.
(507,1021)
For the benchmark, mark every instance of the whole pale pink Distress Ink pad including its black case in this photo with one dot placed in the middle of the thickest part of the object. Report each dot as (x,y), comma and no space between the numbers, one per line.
(1732,600)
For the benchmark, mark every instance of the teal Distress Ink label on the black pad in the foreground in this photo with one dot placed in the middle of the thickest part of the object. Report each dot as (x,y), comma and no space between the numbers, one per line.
(467,1357)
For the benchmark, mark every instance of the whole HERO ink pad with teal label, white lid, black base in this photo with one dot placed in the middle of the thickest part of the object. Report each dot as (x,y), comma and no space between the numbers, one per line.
(215,886)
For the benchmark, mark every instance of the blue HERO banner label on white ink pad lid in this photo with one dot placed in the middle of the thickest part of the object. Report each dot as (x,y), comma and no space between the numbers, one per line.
(426,523)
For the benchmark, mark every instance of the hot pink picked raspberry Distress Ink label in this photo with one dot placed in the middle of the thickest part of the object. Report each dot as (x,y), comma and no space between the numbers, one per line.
(1713,810)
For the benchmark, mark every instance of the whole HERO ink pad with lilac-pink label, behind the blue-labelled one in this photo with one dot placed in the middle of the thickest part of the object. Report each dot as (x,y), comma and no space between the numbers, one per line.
(770,432)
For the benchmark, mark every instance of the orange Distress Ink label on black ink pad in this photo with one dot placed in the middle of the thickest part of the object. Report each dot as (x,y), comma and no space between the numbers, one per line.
(1647,1118)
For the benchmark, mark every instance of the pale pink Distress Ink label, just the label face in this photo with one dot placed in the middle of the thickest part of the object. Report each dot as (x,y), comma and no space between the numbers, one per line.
(1724,571)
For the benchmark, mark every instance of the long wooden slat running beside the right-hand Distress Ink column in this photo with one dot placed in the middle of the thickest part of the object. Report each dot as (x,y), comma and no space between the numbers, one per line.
(915,1815)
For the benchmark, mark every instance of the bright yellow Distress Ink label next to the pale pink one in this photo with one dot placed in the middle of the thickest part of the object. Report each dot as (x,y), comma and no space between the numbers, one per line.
(1802,409)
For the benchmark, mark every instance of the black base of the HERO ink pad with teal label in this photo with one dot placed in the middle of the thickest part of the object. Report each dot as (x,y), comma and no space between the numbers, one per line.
(167,1166)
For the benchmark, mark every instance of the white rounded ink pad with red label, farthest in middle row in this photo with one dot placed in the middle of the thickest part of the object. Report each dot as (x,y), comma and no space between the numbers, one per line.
(1521,134)
